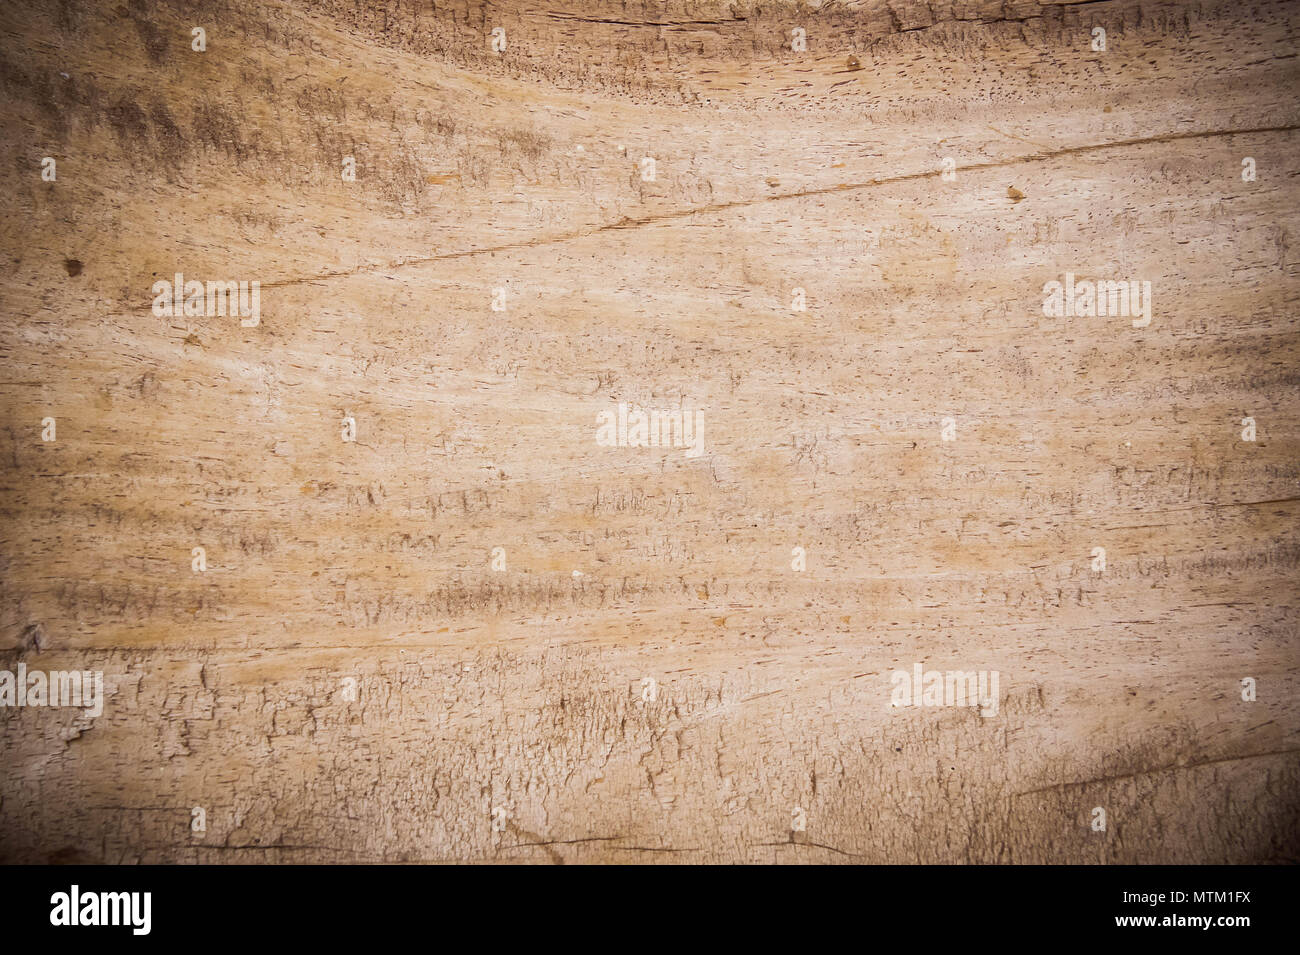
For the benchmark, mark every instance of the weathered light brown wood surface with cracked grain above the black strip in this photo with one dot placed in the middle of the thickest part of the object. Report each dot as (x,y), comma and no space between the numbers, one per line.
(647,675)
